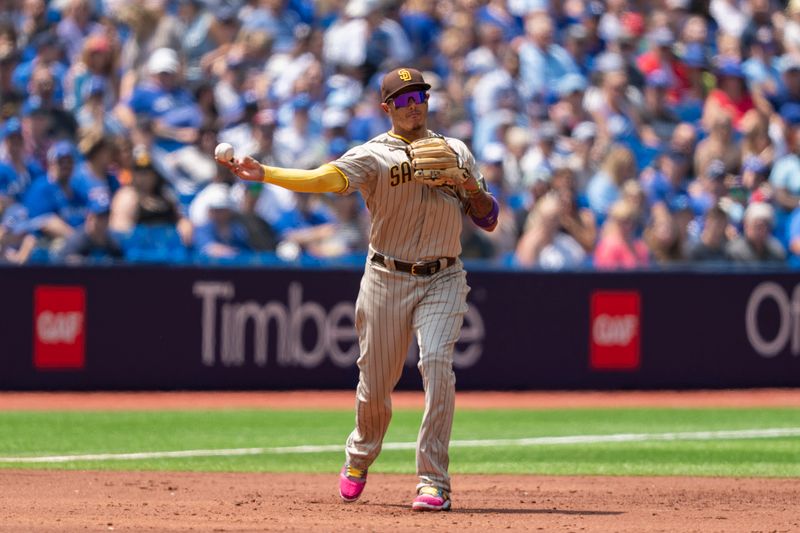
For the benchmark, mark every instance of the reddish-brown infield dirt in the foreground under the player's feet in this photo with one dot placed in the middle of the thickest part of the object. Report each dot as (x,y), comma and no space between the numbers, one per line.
(104,501)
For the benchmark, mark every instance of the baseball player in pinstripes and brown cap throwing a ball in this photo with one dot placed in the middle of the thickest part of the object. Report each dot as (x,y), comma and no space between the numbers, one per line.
(416,185)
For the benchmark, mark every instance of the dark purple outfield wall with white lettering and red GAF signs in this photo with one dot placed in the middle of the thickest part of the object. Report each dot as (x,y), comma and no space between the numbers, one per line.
(192,328)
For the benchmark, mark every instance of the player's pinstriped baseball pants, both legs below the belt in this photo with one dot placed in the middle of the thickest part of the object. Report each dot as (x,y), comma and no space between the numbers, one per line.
(391,306)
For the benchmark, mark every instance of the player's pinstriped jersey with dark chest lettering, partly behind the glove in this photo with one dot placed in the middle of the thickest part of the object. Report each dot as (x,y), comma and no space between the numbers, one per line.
(410,221)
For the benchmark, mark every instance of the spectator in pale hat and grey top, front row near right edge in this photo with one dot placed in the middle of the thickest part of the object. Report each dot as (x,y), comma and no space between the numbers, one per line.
(756,244)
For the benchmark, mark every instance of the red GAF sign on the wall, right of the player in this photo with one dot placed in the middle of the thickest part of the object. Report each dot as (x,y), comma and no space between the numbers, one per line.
(614,334)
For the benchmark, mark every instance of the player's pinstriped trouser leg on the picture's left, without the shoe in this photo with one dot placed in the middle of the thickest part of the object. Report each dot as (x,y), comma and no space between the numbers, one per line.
(383,319)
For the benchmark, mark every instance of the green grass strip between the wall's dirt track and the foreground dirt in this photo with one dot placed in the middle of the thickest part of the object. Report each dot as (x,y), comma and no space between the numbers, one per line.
(665,441)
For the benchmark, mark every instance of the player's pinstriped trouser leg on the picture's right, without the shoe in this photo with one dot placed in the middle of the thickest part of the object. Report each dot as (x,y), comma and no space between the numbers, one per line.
(437,322)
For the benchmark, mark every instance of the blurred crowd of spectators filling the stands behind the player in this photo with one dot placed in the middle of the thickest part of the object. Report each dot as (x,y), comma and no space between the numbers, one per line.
(615,134)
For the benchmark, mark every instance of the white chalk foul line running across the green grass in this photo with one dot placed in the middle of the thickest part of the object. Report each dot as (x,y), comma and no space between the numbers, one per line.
(767,433)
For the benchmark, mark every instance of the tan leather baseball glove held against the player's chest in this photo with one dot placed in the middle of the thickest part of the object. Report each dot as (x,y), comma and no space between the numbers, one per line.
(435,163)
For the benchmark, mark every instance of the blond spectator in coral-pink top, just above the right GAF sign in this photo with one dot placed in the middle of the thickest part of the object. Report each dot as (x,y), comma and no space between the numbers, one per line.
(618,247)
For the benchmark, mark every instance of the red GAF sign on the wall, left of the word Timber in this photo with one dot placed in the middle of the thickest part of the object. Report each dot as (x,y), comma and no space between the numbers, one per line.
(59,328)
